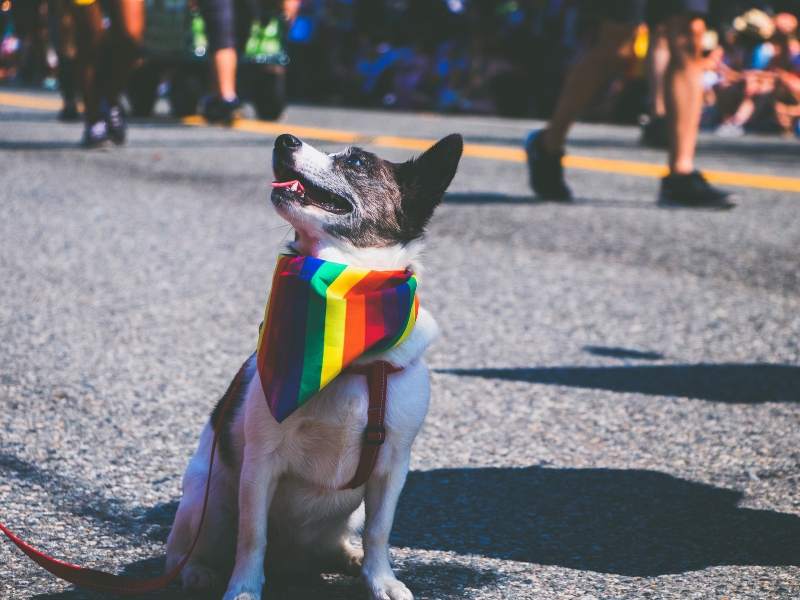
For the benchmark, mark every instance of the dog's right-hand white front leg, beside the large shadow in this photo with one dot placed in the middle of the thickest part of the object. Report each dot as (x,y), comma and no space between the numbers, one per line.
(382,494)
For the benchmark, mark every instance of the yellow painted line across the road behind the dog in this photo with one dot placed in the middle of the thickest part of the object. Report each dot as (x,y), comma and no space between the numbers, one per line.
(483,151)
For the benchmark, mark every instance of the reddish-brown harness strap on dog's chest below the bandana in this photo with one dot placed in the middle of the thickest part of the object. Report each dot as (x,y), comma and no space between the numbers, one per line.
(377,374)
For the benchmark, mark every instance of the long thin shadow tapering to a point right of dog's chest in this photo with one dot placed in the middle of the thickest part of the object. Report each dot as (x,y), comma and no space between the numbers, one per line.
(733,383)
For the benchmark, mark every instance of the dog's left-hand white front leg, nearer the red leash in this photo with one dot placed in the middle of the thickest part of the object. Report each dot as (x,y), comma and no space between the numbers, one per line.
(257,484)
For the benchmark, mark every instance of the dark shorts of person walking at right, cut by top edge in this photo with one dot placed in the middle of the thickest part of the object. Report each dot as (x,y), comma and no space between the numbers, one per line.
(652,12)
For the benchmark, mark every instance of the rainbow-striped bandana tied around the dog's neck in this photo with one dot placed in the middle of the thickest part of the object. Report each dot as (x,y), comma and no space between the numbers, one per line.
(320,317)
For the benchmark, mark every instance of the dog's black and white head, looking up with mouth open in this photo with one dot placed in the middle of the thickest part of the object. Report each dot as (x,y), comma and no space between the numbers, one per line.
(355,200)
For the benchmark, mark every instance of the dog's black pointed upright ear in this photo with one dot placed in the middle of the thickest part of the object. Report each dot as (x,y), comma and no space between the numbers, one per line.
(423,180)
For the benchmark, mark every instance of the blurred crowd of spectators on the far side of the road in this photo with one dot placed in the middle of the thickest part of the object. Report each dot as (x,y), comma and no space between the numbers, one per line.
(504,57)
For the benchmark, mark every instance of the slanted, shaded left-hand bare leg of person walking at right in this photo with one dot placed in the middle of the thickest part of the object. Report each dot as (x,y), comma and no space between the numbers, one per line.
(614,45)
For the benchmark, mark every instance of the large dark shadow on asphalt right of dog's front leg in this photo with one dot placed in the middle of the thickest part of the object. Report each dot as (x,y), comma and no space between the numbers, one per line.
(628,522)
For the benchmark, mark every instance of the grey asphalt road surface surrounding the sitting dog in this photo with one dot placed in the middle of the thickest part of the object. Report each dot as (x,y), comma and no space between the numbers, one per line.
(616,395)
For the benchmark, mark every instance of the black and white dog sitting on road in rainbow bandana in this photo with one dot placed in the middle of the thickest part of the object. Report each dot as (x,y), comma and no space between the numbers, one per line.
(274,496)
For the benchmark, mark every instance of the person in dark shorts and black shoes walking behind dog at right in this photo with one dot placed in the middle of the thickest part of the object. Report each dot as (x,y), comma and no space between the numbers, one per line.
(684,27)
